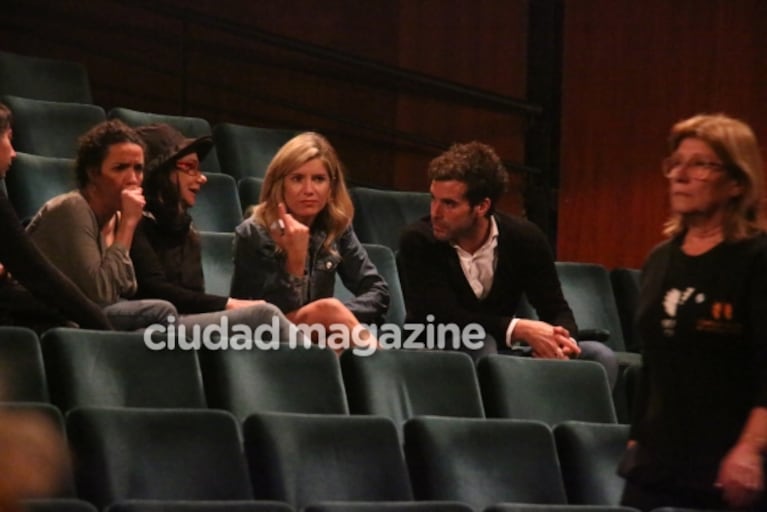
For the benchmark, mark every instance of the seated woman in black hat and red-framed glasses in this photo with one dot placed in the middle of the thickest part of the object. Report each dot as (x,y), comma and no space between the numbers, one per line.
(166,251)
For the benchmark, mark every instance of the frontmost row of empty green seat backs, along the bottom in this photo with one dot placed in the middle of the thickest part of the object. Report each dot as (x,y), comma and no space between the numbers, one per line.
(304,459)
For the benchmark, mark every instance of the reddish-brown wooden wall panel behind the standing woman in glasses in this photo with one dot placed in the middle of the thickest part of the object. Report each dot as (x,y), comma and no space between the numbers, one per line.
(631,69)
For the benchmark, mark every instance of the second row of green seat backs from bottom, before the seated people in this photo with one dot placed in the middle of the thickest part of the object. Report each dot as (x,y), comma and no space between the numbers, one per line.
(73,368)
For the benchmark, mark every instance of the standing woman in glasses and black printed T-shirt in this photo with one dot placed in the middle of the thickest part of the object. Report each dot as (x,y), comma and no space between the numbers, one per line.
(699,432)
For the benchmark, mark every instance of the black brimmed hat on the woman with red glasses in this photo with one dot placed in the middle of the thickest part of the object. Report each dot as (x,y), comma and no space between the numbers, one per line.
(165,145)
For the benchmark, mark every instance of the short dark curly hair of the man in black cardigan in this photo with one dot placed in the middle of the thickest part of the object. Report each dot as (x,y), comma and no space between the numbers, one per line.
(475,164)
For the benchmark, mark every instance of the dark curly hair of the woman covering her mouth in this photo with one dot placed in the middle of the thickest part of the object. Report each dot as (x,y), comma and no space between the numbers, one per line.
(94,144)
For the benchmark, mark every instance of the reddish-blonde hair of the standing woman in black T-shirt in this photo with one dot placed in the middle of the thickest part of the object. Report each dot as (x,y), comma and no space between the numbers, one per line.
(735,144)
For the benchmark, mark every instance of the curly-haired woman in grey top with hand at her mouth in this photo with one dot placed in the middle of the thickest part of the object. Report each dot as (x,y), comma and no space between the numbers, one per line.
(87,233)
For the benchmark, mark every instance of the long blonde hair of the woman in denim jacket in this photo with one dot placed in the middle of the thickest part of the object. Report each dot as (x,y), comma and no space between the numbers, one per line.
(337,215)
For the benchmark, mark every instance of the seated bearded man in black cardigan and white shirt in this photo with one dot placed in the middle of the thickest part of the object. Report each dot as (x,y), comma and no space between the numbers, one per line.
(469,264)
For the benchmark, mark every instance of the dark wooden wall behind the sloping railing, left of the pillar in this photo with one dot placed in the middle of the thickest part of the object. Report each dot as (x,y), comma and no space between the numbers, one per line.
(198,58)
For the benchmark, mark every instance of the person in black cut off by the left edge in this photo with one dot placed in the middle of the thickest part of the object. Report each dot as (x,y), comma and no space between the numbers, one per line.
(32,292)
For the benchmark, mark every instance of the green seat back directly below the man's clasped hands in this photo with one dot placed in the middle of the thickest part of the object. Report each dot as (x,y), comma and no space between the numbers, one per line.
(547,390)
